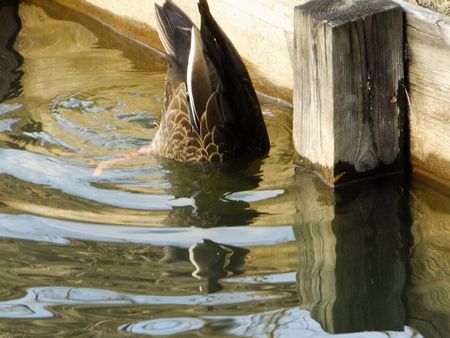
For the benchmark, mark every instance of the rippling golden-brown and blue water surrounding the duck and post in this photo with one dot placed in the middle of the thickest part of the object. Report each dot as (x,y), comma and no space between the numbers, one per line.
(155,248)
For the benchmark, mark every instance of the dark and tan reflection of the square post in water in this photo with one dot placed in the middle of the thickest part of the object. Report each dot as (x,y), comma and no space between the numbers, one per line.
(352,246)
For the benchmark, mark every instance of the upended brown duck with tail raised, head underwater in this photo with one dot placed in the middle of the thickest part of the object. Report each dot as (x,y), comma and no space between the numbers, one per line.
(211,112)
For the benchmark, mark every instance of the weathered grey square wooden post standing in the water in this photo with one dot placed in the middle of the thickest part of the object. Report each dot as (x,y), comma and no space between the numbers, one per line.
(349,107)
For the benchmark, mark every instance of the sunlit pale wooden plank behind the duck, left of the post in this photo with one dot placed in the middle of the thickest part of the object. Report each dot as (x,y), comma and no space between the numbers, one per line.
(262,31)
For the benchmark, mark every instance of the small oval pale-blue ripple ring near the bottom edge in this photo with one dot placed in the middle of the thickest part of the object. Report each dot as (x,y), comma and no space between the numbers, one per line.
(164,326)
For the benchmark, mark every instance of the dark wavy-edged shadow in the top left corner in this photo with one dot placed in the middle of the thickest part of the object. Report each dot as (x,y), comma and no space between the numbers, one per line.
(10,59)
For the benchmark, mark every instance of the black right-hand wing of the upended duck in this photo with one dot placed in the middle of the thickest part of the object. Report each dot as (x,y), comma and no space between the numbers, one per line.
(237,102)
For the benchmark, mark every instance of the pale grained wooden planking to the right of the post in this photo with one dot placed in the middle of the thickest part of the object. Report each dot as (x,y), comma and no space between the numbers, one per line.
(428,38)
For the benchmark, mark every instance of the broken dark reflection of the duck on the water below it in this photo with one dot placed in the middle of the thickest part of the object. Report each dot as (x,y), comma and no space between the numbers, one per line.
(210,260)
